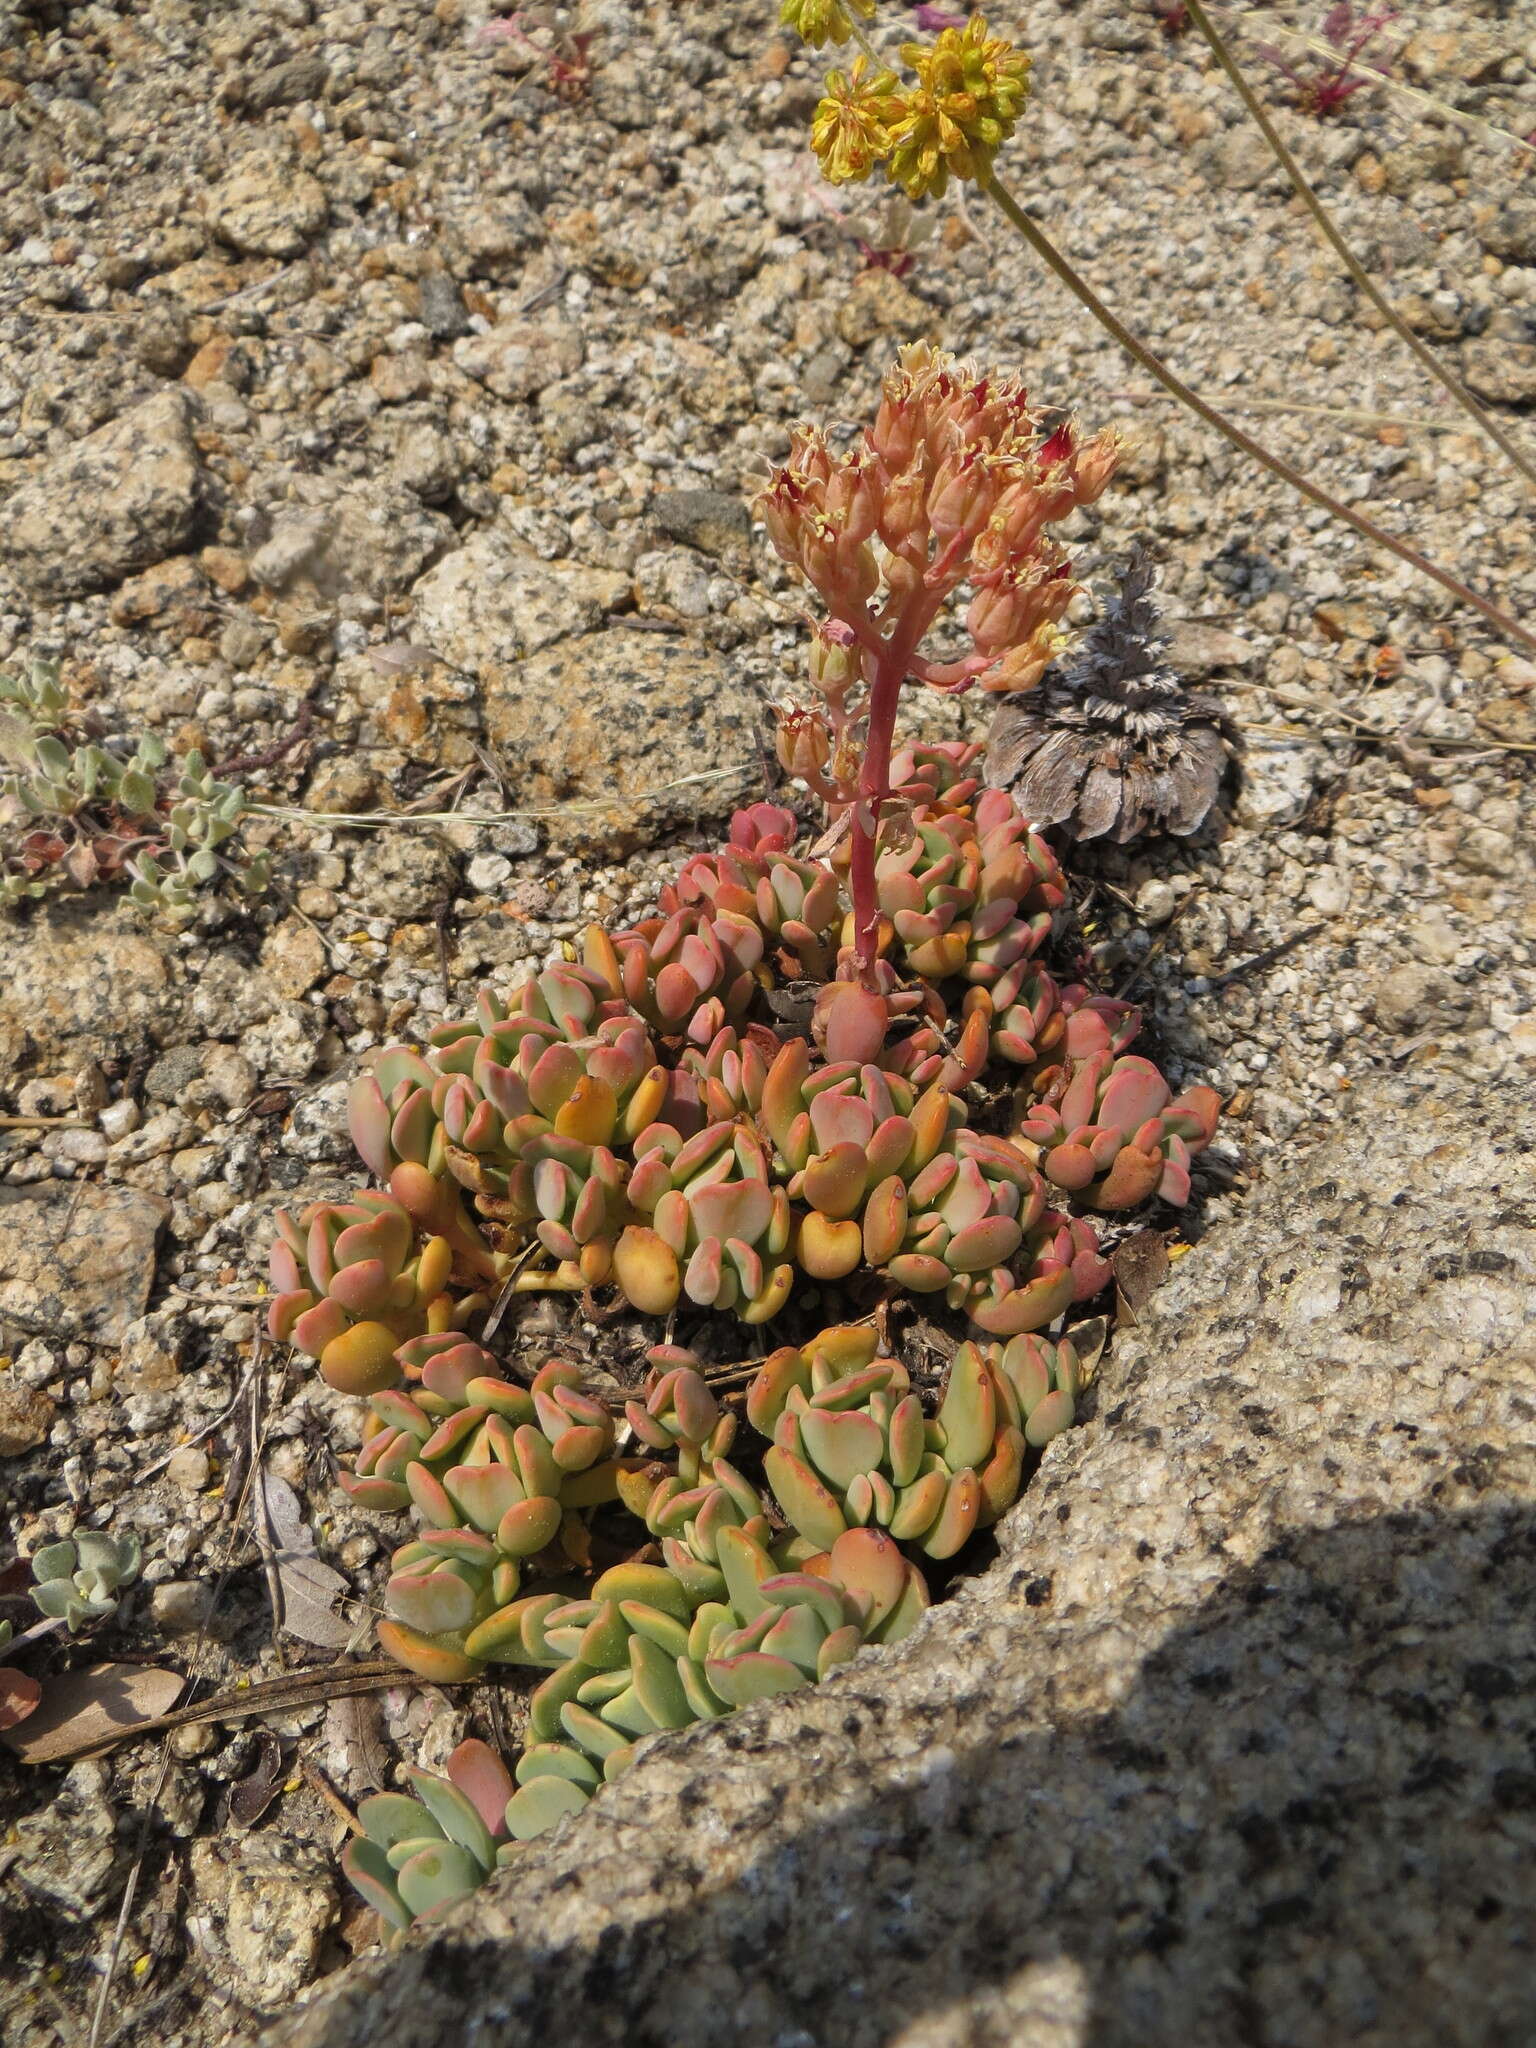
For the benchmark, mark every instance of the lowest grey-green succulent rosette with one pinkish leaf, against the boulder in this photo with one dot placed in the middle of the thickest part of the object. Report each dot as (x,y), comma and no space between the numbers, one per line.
(423,1854)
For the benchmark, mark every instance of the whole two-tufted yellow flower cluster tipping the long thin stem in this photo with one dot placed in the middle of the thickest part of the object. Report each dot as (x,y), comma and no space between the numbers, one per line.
(966,103)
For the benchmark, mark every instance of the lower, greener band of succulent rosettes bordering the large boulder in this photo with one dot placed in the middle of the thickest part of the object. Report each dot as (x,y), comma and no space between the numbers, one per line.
(755,1594)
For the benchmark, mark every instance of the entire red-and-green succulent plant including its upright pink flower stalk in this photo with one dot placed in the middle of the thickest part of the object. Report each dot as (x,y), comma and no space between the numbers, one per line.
(833,1074)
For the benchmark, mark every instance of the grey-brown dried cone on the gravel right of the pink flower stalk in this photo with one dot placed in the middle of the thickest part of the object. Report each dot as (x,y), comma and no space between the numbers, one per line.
(1113,746)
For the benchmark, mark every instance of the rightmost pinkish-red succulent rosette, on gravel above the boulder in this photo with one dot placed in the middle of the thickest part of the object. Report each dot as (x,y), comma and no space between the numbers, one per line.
(1111,1132)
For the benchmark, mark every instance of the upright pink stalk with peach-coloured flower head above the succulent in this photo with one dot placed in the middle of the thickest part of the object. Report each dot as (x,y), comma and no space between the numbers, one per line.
(953,484)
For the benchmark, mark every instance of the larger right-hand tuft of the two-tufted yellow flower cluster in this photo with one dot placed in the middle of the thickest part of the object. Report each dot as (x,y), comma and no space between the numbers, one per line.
(966,105)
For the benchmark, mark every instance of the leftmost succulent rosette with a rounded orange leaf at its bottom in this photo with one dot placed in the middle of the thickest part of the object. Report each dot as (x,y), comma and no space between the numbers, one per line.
(353,1287)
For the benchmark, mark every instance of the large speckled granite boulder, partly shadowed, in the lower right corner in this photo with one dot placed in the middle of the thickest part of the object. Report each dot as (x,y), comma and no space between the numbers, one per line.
(1234,1740)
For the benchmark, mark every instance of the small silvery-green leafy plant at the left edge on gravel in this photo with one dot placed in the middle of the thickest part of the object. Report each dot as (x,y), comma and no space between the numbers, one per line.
(83,812)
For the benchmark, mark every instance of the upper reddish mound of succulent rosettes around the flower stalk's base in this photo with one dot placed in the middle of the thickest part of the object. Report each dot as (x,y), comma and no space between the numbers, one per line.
(701,1154)
